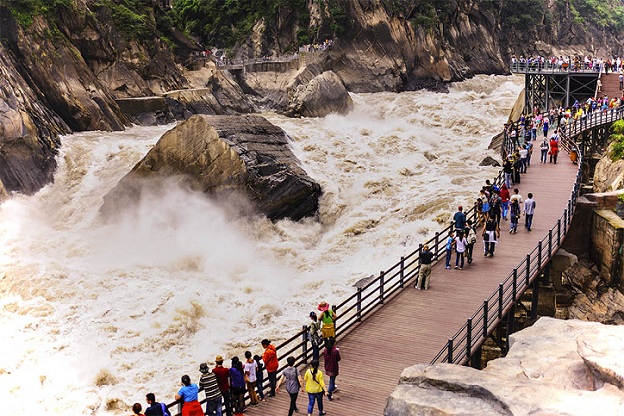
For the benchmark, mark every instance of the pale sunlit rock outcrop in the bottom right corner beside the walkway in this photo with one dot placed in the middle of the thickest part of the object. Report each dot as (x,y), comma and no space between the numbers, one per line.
(553,368)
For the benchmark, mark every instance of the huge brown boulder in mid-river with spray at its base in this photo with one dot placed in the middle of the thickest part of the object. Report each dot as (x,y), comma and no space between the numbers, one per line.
(227,156)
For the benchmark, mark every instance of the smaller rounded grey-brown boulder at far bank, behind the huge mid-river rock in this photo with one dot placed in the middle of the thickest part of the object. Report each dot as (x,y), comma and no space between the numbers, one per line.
(323,95)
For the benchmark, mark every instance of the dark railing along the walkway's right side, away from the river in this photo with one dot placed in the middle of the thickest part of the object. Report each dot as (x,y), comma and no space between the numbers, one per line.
(478,327)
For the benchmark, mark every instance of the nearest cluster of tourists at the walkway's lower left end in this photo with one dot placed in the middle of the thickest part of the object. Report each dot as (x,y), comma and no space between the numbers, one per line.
(227,389)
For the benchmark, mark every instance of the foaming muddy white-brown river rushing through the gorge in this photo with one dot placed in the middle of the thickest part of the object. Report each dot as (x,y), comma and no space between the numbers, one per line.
(94,315)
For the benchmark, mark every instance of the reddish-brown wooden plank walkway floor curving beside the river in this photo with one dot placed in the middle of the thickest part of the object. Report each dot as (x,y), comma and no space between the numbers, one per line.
(415,325)
